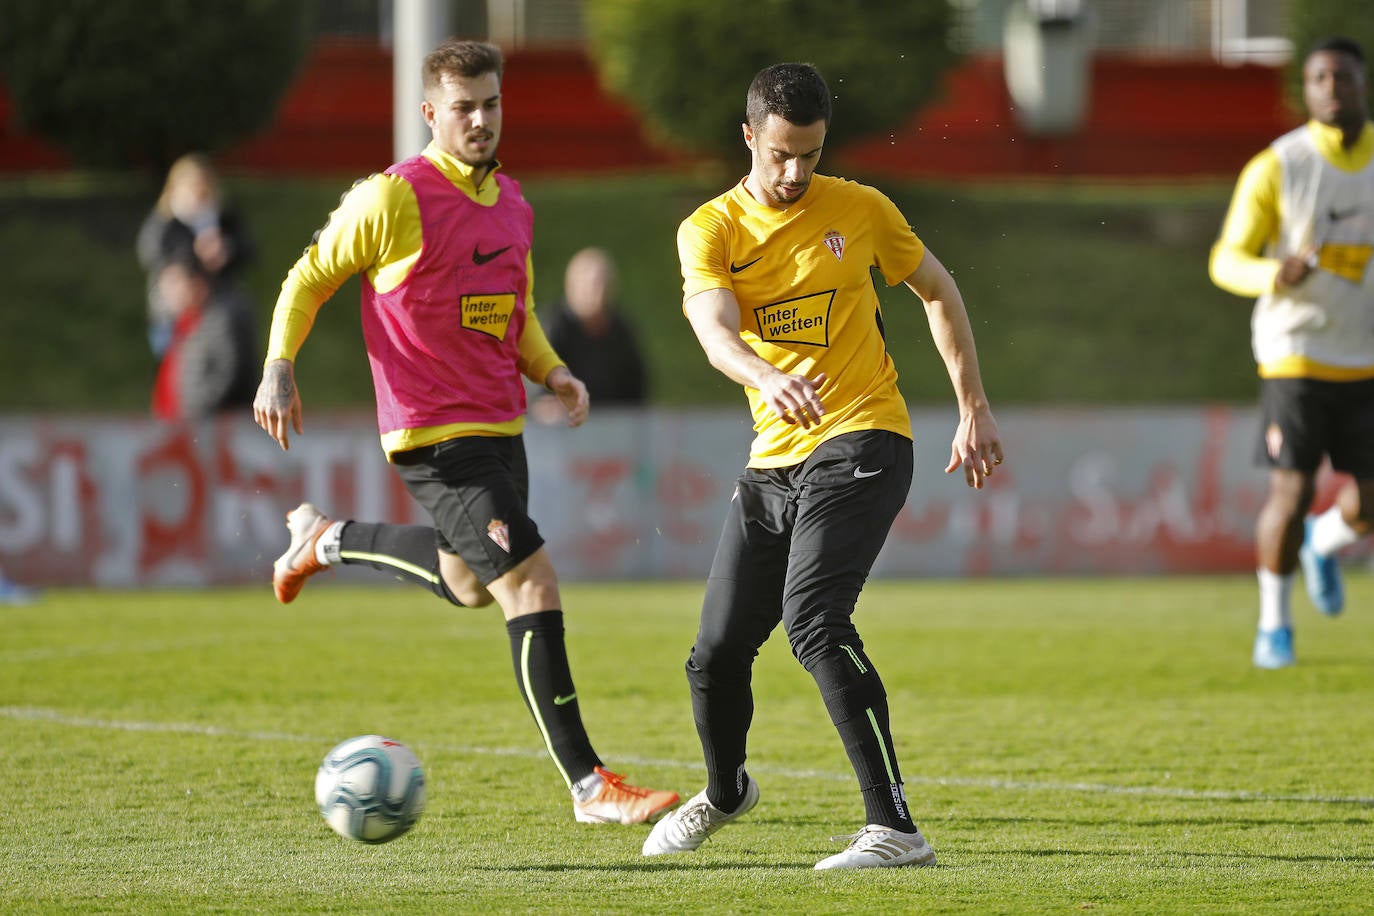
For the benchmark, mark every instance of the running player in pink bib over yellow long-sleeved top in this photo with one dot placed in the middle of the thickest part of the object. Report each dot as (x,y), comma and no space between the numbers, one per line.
(443,242)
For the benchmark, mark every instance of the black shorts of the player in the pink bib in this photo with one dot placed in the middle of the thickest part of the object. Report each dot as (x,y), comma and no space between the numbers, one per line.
(476,488)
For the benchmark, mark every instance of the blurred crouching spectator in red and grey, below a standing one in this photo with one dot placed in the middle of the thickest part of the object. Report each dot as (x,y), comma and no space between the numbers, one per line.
(211,362)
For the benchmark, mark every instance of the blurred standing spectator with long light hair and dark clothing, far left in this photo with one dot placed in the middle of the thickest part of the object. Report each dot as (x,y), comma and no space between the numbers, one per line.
(190,223)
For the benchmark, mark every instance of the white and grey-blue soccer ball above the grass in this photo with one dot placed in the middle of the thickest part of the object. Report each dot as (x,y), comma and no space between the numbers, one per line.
(370,789)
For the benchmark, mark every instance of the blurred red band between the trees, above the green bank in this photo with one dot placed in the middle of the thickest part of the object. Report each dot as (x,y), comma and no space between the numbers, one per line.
(337,117)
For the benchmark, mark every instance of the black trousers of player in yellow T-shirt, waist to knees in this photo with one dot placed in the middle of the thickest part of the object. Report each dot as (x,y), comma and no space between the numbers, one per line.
(799,545)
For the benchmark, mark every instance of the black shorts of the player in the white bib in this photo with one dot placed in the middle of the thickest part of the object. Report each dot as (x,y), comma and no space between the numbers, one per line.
(1305,420)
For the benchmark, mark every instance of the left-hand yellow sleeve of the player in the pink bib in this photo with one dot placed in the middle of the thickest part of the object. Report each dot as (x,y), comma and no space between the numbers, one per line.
(374,230)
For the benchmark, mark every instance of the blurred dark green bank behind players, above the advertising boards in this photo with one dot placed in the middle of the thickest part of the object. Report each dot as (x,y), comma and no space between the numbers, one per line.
(1078,295)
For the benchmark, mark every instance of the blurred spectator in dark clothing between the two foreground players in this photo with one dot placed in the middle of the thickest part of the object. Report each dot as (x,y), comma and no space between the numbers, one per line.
(594,339)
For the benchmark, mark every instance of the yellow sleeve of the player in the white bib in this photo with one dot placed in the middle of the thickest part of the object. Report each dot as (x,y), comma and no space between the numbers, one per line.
(1237,263)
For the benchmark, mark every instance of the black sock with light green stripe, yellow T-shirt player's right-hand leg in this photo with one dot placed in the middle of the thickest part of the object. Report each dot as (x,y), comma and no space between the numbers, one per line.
(858,705)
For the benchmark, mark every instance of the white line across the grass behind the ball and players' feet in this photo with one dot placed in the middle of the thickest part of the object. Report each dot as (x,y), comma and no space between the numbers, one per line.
(1008,785)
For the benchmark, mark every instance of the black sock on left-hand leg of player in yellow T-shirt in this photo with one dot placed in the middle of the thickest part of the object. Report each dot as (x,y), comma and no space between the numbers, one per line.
(723,708)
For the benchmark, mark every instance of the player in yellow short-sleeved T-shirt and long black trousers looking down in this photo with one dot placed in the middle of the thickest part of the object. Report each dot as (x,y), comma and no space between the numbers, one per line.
(780,292)
